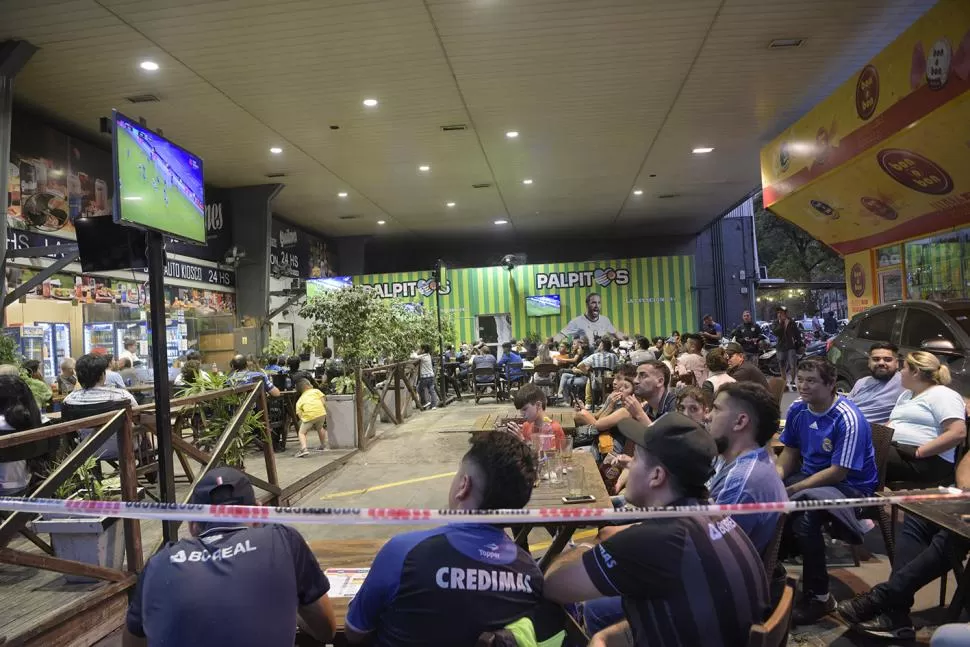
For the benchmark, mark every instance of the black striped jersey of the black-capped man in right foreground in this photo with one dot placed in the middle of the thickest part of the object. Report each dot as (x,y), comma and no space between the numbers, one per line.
(685,581)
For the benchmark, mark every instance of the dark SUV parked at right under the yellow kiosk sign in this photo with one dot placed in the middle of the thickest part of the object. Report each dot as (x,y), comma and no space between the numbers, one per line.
(942,328)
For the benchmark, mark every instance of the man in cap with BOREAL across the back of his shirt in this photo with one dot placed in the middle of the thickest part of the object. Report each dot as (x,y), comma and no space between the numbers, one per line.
(230,583)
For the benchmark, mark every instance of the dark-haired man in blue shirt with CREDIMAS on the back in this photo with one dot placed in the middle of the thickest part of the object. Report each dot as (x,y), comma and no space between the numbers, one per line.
(449,585)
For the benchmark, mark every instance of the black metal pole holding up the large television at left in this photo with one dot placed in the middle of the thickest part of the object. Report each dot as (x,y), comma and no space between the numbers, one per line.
(163,414)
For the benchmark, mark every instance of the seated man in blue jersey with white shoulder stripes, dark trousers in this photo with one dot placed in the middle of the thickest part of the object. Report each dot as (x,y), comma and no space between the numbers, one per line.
(828,454)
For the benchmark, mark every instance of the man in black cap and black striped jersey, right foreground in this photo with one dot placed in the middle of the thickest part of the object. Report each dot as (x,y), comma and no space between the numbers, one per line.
(694,577)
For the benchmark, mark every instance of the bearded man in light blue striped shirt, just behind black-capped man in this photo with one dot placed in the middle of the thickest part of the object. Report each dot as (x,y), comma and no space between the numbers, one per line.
(742,421)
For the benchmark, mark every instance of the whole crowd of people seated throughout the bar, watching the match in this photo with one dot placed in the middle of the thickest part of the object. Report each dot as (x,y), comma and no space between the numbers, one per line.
(684,420)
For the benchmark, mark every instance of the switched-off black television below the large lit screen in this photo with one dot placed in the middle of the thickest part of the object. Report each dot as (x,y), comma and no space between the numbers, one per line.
(106,245)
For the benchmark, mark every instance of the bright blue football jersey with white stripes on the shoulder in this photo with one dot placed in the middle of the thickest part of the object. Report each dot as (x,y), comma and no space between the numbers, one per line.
(839,436)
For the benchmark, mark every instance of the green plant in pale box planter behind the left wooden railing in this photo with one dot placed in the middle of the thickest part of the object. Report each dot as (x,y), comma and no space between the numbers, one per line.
(93,540)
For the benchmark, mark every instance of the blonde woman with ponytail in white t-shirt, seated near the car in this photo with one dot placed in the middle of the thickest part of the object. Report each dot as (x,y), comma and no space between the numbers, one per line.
(928,422)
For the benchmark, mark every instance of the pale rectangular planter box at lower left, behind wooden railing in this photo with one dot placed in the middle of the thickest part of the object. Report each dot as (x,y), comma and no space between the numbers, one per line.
(92,540)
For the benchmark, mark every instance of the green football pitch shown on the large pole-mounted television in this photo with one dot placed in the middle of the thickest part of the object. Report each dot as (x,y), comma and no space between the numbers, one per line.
(146,198)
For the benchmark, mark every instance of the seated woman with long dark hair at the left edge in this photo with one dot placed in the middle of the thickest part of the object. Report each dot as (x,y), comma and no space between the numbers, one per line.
(18,412)
